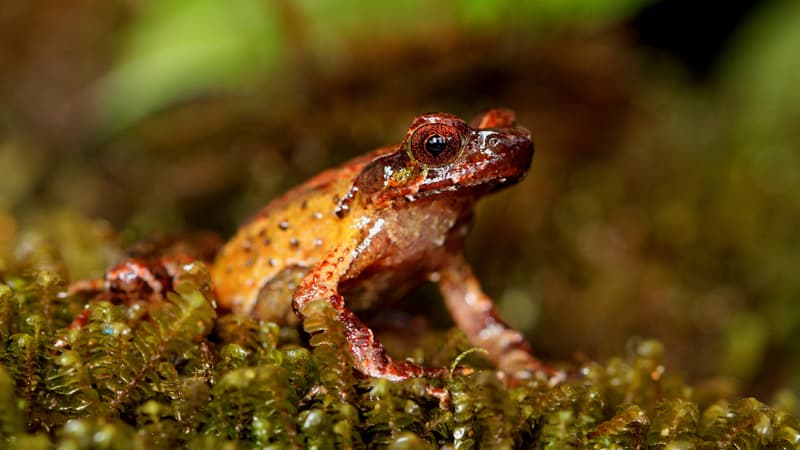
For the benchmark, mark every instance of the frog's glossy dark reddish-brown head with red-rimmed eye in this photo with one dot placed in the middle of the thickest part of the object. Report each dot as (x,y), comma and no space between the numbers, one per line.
(443,155)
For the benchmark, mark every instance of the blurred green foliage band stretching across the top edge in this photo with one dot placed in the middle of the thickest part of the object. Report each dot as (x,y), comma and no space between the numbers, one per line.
(177,48)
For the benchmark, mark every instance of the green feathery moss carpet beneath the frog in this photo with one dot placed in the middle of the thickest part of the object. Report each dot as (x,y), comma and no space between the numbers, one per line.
(175,374)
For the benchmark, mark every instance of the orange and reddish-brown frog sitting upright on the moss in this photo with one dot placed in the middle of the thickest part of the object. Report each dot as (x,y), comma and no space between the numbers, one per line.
(369,230)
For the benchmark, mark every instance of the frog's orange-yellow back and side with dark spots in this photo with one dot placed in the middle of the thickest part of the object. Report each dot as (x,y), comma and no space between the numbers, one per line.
(284,240)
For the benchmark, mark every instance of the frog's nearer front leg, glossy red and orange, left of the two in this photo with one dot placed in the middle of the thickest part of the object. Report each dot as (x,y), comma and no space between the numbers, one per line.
(369,356)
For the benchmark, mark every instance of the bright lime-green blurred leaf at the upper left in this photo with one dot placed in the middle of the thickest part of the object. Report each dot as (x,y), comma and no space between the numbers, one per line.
(179,47)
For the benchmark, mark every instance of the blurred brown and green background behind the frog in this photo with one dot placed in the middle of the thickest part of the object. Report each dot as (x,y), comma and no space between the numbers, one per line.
(664,198)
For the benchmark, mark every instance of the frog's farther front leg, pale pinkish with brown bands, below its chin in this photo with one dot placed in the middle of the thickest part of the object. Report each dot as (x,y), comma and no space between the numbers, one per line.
(474,312)
